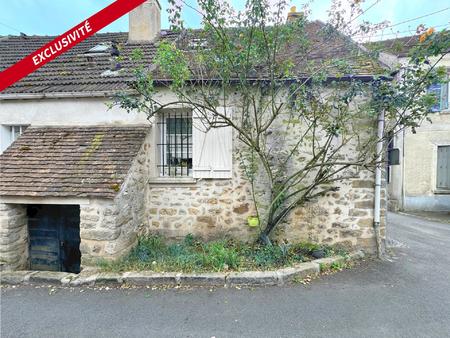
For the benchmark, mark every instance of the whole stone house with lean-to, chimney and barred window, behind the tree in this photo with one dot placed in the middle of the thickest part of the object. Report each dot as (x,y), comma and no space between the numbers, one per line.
(80,182)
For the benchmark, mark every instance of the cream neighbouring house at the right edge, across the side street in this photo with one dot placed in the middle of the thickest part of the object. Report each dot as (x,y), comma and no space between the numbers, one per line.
(421,181)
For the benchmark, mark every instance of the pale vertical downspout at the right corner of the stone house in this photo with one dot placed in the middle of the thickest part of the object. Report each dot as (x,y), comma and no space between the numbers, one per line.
(379,164)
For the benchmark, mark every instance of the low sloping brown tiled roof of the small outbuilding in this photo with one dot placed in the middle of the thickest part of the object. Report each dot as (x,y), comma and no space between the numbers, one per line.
(69,161)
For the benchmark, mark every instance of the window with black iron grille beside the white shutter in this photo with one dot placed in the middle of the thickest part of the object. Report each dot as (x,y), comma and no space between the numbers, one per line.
(175,147)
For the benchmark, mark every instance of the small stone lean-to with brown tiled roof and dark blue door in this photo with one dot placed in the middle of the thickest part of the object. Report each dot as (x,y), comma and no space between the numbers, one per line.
(71,194)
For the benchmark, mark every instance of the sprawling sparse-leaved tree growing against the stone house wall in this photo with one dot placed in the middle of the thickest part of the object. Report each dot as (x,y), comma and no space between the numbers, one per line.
(302,97)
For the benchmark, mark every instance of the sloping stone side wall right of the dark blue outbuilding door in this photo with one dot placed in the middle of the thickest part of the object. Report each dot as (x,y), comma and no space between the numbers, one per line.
(109,228)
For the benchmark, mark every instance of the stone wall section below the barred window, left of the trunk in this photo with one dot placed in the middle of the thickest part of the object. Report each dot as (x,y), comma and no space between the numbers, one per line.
(209,208)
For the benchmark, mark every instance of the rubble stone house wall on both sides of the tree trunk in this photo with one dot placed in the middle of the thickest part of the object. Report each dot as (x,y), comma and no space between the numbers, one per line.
(217,208)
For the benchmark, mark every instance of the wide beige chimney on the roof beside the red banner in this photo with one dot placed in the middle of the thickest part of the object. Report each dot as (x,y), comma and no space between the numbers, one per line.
(145,22)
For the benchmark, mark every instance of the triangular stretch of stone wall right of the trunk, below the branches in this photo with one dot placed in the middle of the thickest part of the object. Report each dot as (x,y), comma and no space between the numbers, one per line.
(344,217)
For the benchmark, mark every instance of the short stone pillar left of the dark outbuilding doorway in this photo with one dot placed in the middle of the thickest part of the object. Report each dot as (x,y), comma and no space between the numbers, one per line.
(13,237)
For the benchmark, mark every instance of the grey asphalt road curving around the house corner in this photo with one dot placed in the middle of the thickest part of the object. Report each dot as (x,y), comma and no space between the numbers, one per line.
(408,296)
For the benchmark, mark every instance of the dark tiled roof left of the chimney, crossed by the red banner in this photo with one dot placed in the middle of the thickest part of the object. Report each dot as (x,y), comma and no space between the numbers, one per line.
(72,72)
